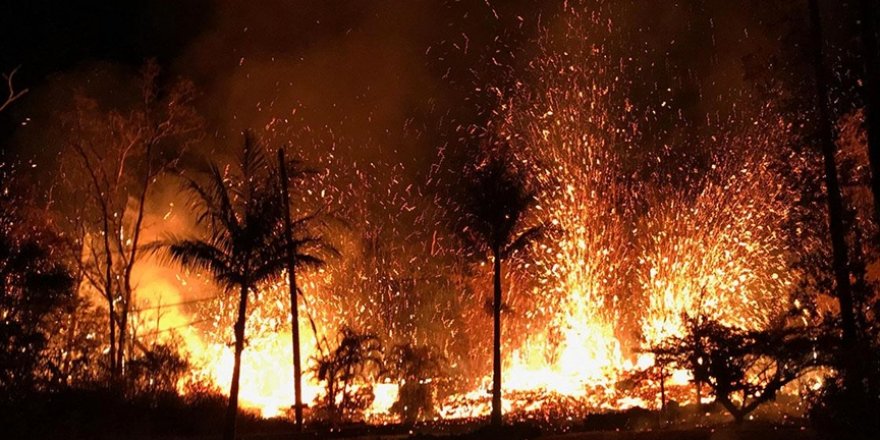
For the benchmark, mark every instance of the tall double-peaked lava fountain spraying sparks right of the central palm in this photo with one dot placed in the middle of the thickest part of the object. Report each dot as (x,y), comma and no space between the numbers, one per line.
(632,254)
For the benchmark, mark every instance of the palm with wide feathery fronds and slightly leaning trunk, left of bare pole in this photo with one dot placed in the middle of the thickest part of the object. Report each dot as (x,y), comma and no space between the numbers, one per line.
(241,246)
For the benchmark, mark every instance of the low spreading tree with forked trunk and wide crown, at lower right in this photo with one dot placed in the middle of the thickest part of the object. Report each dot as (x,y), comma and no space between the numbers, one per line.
(743,368)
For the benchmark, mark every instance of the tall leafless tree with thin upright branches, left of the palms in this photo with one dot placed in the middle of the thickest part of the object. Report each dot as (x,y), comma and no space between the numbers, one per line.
(122,153)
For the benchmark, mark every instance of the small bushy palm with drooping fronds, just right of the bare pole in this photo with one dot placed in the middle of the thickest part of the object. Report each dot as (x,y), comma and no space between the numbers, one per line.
(357,358)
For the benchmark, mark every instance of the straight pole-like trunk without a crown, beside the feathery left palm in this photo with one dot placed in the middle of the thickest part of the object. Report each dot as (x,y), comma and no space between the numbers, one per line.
(294,306)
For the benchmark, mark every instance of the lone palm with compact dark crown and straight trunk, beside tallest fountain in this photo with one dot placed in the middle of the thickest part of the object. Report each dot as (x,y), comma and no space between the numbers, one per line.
(496,200)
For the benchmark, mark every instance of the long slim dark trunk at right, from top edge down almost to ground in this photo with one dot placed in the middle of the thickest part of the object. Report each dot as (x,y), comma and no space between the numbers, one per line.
(835,201)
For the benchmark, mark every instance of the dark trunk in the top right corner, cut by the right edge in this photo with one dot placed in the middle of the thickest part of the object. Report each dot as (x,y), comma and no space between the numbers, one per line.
(871,97)
